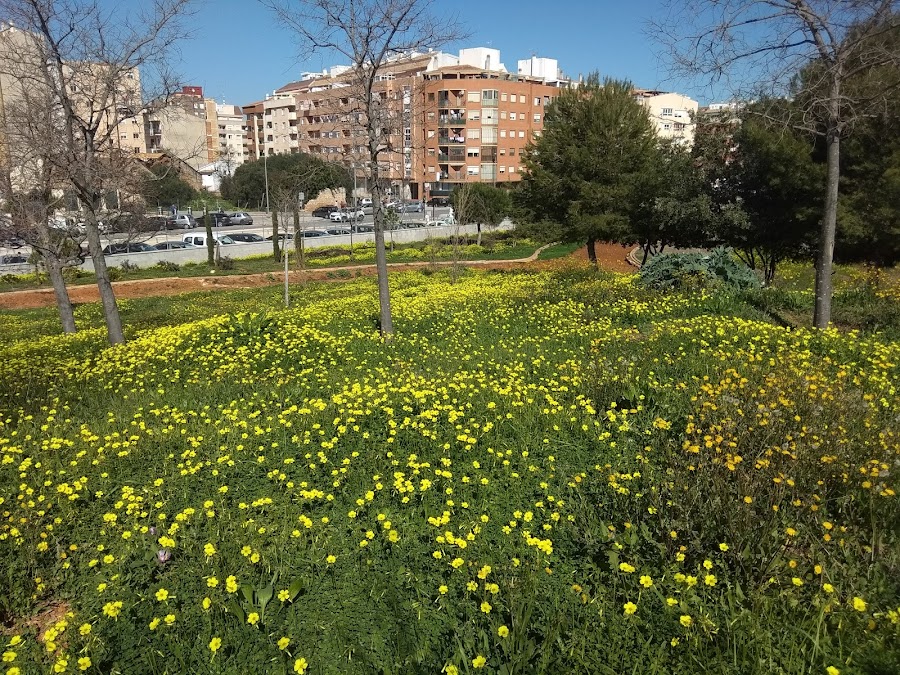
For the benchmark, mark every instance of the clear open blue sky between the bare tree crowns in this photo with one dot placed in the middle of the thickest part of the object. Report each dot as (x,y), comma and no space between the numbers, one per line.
(239,53)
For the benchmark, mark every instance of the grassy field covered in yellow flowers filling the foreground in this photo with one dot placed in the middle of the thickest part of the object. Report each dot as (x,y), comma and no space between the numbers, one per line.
(554,472)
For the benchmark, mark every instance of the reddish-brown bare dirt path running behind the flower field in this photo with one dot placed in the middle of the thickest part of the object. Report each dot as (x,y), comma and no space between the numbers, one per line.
(608,256)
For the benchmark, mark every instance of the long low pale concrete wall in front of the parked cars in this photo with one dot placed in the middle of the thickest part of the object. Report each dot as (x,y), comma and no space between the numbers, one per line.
(198,254)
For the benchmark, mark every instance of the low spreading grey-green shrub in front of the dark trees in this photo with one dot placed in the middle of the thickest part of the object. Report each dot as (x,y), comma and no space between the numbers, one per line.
(679,270)
